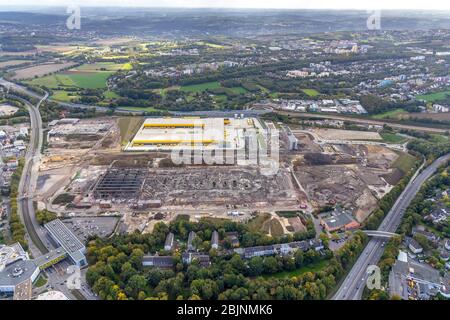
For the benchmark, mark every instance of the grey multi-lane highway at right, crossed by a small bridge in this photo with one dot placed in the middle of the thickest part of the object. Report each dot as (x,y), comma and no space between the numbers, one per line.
(355,281)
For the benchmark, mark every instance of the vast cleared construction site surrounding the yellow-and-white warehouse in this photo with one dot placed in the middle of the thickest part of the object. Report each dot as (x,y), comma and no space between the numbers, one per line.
(92,172)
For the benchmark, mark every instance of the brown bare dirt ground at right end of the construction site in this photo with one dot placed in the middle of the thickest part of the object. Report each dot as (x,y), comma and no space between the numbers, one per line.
(348,175)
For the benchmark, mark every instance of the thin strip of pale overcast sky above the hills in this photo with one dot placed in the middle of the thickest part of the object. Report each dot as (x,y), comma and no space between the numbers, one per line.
(261,4)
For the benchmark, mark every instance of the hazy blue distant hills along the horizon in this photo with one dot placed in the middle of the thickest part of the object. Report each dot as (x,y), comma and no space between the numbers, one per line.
(232,22)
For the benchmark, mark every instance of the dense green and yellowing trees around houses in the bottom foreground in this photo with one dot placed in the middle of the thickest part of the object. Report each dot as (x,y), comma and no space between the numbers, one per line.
(116,270)
